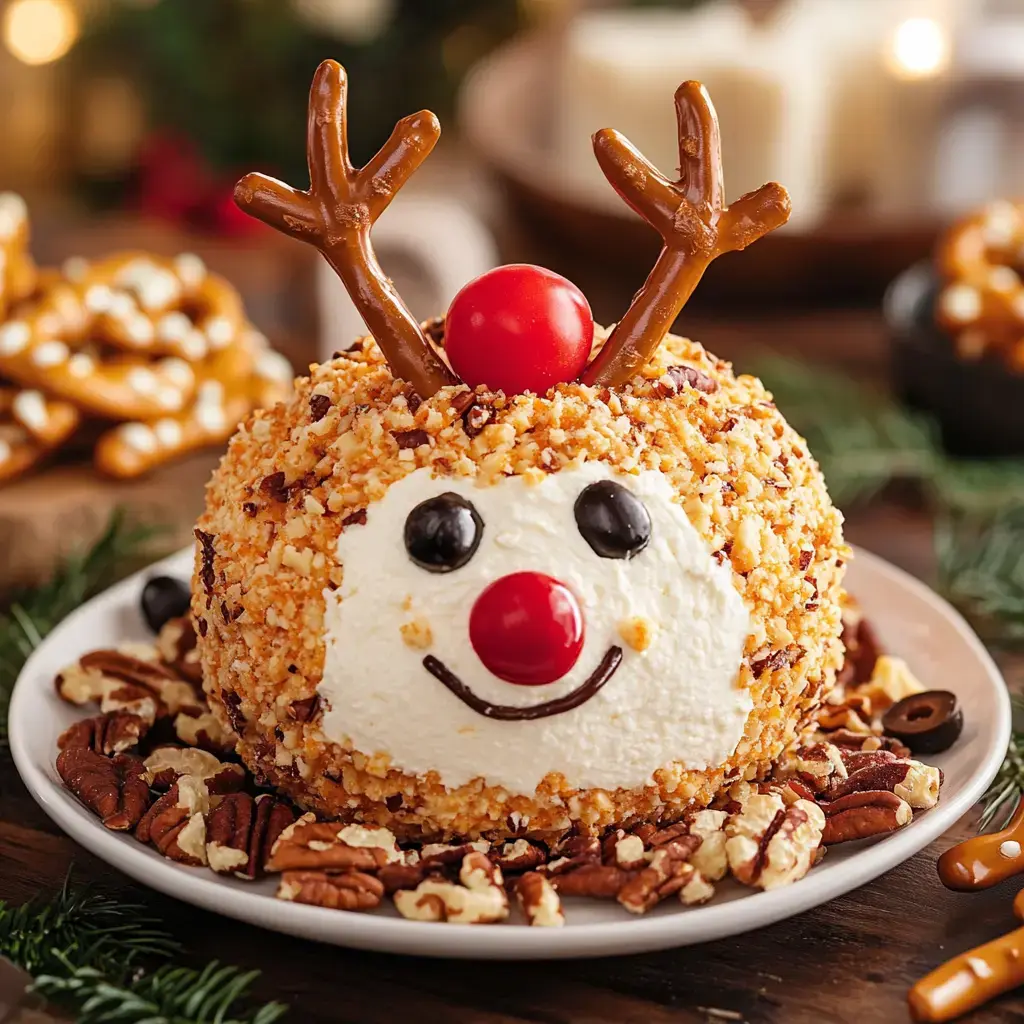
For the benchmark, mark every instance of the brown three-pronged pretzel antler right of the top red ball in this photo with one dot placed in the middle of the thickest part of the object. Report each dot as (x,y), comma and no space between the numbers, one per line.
(693,220)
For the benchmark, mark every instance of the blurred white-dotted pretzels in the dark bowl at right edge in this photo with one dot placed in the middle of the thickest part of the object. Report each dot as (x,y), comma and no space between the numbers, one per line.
(983,302)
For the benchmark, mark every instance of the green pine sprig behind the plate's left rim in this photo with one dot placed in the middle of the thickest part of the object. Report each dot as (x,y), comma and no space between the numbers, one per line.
(35,612)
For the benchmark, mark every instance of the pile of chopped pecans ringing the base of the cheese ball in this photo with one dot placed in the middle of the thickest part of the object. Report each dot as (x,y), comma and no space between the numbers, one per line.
(159,761)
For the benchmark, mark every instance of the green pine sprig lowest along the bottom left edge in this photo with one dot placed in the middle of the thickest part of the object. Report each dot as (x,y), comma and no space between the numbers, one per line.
(168,996)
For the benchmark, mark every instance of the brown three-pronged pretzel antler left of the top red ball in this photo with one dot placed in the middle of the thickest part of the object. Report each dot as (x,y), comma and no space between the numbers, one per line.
(338,211)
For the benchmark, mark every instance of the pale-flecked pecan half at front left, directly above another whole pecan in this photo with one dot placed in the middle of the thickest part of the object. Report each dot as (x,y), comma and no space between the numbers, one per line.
(333,847)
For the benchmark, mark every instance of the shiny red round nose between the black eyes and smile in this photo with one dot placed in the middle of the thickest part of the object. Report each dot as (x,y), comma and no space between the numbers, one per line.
(528,629)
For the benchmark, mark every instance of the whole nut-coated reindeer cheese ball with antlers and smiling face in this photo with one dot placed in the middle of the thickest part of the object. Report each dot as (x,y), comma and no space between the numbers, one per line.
(504,573)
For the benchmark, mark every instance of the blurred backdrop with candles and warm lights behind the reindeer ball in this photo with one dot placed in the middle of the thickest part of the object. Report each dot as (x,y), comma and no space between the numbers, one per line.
(126,123)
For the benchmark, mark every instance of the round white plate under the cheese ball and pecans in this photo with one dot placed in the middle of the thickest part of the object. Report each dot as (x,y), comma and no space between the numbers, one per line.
(911,620)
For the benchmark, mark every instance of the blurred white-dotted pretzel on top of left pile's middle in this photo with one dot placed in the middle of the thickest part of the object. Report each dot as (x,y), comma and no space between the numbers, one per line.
(144,304)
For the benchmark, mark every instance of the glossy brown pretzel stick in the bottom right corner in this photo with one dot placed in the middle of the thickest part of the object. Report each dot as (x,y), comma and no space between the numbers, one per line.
(973,978)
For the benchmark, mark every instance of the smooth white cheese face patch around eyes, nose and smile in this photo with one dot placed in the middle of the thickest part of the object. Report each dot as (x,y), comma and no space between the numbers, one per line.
(675,701)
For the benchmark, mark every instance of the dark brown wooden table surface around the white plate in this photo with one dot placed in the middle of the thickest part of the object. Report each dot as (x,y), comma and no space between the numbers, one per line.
(848,962)
